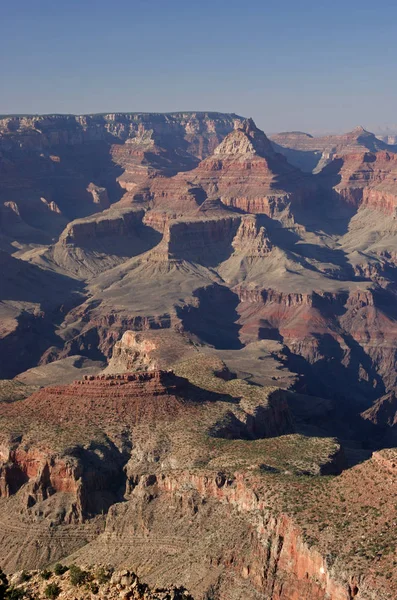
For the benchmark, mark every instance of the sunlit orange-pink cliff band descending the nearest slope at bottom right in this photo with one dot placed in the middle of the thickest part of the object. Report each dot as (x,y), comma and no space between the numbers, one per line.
(281,565)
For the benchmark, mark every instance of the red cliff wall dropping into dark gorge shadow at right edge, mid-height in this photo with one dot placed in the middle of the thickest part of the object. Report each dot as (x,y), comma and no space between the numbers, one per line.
(354,328)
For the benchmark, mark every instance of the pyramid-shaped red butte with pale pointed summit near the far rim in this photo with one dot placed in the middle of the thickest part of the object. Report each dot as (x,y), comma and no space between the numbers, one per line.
(244,172)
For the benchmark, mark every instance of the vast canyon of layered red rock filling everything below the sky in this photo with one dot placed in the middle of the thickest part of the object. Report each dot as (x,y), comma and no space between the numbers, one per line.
(198,341)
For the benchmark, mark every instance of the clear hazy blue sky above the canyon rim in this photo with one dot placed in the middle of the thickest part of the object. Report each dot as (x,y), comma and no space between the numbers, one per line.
(316,66)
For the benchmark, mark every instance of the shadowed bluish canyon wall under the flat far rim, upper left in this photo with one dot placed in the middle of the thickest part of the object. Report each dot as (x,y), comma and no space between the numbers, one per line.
(79,164)
